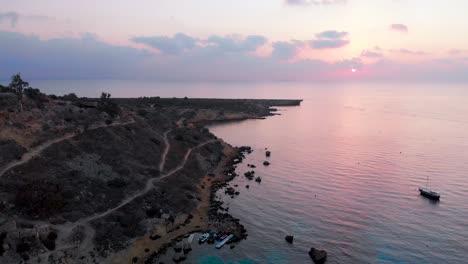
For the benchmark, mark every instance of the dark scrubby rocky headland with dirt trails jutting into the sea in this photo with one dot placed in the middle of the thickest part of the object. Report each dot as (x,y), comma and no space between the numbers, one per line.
(113,180)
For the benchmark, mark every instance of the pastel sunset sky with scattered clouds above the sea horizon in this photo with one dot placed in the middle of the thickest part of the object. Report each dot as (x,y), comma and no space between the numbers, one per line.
(221,40)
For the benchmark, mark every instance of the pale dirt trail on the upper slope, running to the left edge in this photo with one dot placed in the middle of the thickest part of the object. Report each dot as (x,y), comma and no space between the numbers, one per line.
(33,152)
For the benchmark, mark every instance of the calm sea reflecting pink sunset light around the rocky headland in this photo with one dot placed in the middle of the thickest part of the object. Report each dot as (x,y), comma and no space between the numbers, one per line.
(345,169)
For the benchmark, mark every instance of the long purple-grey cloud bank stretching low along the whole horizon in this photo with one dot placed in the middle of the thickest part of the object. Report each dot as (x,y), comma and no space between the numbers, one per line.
(216,58)
